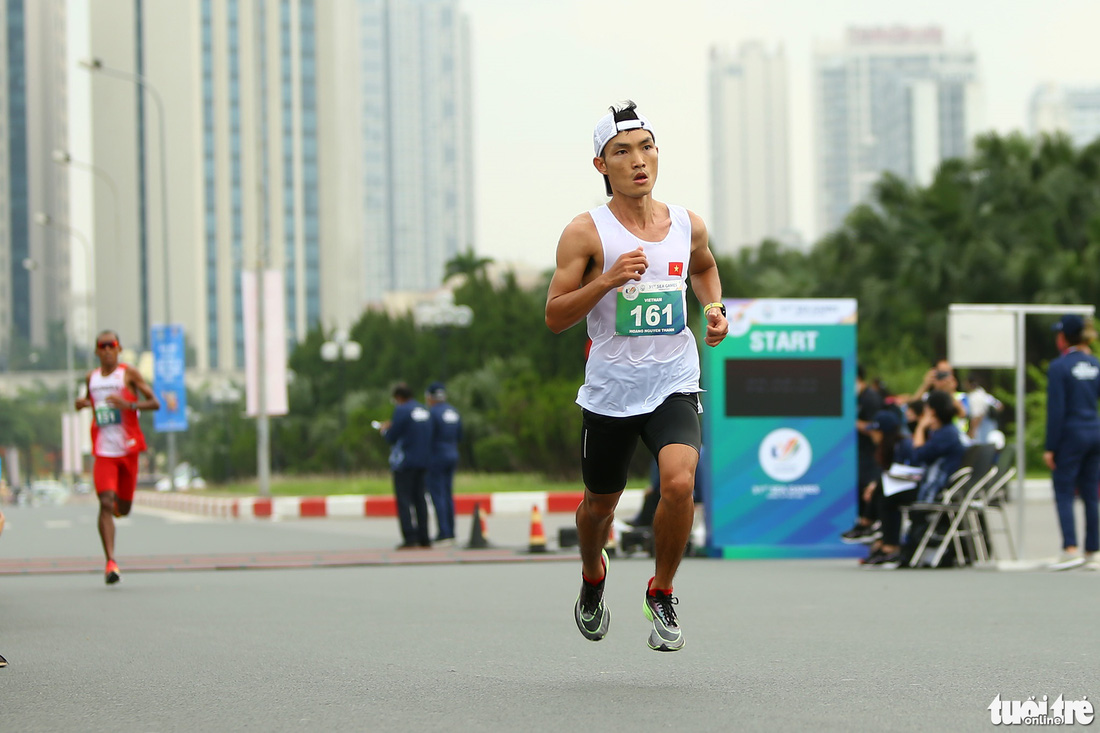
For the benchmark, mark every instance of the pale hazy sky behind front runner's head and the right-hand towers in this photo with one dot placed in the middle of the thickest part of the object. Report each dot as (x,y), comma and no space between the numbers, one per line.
(545,72)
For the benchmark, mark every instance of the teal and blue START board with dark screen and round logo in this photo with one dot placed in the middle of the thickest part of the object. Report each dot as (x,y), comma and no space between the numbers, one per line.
(779,426)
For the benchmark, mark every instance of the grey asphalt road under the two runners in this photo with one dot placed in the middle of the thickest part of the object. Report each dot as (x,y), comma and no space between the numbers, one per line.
(459,646)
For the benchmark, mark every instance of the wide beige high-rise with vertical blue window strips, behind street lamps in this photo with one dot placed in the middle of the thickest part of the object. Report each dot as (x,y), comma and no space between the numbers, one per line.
(236,82)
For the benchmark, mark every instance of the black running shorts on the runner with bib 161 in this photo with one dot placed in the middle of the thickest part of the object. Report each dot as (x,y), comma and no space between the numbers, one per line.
(609,443)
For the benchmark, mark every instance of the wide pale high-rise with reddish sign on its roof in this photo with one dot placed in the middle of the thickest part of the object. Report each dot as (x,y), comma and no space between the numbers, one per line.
(898,100)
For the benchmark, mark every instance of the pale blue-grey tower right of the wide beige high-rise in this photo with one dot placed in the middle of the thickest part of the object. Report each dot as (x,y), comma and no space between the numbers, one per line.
(415,177)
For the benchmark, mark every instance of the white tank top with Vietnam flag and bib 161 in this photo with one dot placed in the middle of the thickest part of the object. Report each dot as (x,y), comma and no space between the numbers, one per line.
(642,351)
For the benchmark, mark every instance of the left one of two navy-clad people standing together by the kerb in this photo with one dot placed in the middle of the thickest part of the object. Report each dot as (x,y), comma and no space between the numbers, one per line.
(410,433)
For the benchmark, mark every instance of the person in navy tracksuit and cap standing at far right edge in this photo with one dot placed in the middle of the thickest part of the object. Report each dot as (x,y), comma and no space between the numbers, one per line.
(1073,441)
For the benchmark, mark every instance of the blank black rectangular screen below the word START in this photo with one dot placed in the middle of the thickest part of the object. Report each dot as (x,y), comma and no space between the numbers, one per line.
(785,388)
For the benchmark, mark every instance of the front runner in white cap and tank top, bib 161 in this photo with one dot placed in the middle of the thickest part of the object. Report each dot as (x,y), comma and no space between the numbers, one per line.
(625,268)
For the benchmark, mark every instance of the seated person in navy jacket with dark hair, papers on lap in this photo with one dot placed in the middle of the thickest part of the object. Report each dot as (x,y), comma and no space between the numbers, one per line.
(939,446)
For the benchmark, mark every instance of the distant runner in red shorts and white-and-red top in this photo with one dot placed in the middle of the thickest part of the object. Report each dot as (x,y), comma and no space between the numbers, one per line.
(116,393)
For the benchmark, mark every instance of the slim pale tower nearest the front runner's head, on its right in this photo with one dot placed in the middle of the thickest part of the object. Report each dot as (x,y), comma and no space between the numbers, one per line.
(750,148)
